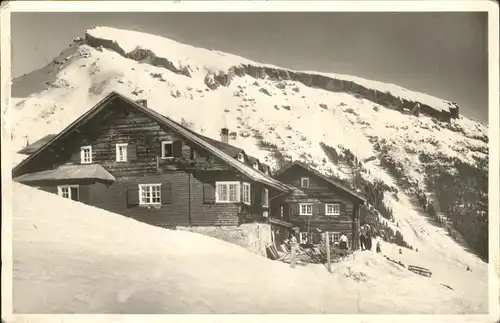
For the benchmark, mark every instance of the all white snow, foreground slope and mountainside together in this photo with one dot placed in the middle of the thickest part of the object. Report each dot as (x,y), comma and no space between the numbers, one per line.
(68,260)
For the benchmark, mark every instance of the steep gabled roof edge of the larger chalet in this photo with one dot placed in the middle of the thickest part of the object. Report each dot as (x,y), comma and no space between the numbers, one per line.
(247,170)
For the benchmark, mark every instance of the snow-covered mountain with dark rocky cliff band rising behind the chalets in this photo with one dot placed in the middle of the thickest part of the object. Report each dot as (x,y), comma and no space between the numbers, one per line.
(340,125)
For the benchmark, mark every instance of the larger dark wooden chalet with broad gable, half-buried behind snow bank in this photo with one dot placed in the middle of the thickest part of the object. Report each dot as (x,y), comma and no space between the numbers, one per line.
(124,157)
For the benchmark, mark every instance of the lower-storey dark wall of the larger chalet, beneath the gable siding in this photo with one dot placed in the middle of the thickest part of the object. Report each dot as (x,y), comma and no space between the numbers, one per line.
(178,210)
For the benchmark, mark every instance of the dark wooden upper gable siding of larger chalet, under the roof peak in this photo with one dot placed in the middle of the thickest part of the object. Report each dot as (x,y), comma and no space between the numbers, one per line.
(118,123)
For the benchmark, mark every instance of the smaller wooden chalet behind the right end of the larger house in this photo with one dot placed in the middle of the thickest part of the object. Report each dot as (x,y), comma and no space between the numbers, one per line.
(316,205)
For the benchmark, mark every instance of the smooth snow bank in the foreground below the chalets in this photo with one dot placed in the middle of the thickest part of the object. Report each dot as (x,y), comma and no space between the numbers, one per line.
(73,261)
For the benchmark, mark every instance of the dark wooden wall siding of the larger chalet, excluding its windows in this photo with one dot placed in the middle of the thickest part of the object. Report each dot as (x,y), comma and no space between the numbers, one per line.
(120,123)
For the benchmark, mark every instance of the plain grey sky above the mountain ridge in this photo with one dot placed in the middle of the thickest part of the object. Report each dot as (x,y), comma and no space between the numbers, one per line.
(442,54)
